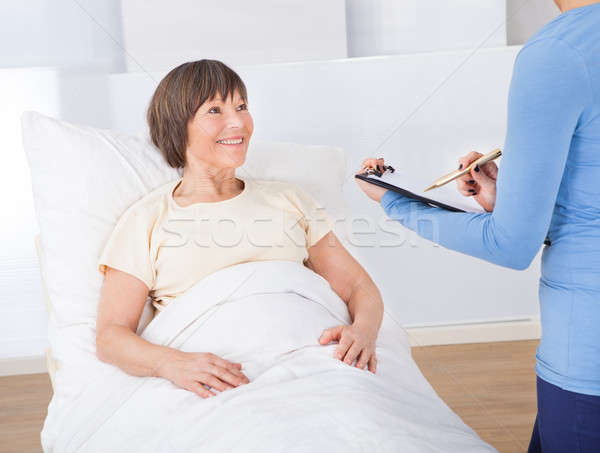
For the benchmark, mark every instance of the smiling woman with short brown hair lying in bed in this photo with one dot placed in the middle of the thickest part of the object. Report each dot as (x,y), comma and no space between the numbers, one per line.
(210,219)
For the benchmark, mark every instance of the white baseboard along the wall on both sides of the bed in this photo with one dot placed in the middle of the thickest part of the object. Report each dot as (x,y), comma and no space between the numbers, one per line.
(483,332)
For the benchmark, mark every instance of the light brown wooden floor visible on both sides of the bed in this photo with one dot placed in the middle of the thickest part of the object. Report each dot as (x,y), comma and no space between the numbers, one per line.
(491,386)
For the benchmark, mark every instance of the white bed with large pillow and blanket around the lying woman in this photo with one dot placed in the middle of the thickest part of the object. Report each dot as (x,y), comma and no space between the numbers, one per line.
(299,397)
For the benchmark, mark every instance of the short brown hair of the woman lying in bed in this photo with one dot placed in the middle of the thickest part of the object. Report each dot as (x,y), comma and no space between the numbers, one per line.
(177,98)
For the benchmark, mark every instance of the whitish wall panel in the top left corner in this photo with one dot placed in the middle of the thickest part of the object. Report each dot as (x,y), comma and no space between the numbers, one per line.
(61,34)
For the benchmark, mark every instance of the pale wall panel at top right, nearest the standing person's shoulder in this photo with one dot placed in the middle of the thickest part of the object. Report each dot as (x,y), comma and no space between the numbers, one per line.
(389,27)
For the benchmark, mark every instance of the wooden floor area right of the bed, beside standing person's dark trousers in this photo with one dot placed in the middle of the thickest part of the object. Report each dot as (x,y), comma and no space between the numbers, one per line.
(491,386)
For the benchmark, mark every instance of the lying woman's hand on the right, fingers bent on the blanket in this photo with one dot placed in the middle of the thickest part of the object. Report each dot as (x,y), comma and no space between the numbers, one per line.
(355,343)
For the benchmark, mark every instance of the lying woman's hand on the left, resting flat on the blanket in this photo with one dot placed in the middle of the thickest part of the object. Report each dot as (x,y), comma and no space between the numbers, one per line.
(190,370)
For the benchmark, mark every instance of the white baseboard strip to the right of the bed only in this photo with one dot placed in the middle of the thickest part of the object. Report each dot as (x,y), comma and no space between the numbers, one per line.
(483,332)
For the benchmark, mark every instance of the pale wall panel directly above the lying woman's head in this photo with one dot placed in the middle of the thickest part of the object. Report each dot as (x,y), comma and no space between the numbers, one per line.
(161,35)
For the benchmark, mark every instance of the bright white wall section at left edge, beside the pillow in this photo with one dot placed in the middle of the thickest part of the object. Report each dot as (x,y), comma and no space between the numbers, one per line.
(23,320)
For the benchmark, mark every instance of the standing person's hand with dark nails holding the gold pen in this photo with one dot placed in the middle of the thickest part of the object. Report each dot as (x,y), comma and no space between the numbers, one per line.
(480,183)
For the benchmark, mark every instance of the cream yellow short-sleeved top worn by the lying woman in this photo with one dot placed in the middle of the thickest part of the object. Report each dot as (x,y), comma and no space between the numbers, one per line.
(170,247)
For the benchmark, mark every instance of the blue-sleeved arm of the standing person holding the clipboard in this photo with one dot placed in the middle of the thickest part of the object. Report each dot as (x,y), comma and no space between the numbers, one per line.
(549,90)
